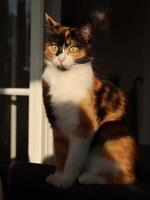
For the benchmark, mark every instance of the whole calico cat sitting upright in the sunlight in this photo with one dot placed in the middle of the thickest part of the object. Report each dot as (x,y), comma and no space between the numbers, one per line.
(88,114)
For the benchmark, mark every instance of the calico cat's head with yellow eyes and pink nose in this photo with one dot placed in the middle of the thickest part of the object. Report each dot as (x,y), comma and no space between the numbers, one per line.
(64,47)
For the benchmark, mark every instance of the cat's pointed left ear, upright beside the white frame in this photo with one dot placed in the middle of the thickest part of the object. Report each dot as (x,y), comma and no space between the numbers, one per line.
(50,23)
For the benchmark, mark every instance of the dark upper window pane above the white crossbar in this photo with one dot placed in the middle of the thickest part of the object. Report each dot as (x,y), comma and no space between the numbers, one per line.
(15,38)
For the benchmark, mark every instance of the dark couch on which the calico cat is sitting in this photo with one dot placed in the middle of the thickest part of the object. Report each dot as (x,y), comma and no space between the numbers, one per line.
(27,181)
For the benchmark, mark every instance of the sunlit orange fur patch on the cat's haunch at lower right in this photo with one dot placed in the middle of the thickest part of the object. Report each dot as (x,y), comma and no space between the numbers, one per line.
(122,152)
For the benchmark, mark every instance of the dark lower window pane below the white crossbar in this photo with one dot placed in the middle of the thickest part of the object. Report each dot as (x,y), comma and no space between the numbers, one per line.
(8,115)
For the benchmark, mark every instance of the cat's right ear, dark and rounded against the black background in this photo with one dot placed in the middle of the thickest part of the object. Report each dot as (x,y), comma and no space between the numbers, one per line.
(85,32)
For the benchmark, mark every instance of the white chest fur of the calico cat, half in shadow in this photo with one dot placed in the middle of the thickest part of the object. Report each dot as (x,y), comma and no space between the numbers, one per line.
(67,89)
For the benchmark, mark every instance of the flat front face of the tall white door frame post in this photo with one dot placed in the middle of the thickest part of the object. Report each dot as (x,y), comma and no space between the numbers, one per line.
(35,96)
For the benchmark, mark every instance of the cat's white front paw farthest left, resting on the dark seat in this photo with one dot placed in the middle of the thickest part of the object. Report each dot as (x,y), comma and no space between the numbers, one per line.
(59,180)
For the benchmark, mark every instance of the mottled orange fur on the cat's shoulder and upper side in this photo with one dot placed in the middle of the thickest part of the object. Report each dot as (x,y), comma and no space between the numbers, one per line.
(88,116)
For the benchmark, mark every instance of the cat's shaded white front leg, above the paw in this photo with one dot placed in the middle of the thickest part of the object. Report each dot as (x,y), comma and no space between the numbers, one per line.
(77,155)
